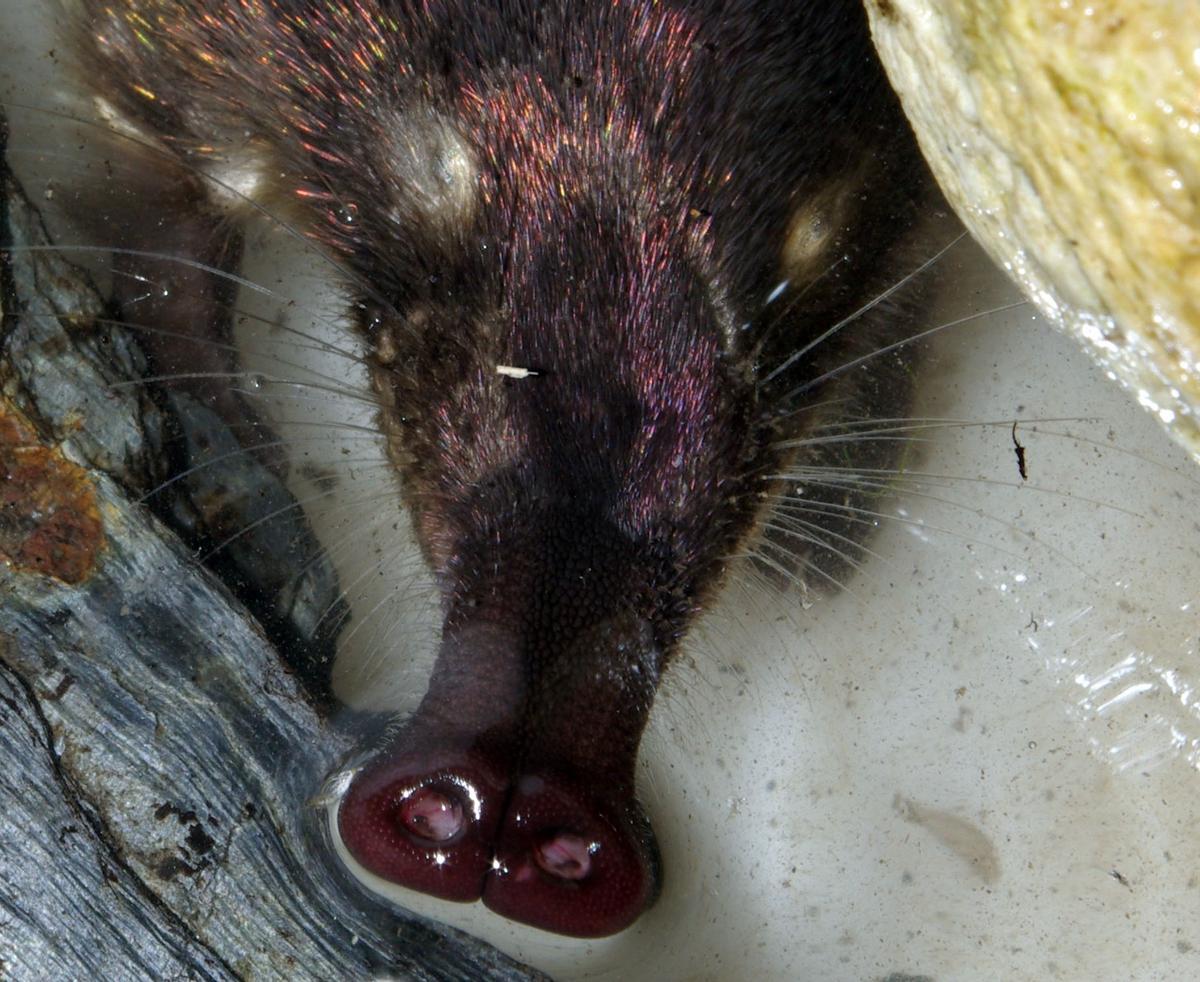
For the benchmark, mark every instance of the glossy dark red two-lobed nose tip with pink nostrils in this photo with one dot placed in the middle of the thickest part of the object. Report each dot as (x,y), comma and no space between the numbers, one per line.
(541,852)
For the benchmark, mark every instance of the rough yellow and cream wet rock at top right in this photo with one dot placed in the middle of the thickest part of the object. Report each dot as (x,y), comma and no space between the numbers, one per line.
(1067,136)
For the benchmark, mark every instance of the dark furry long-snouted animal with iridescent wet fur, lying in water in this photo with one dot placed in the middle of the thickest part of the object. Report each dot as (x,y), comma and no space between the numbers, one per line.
(634,175)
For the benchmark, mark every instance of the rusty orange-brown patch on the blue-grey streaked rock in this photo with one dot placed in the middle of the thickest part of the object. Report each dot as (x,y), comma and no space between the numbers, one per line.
(50,523)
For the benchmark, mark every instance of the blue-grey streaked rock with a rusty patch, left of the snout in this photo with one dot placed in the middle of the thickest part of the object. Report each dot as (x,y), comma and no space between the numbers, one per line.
(157,756)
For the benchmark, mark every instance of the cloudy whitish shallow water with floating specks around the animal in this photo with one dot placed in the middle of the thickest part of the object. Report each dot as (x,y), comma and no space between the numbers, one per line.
(976,762)
